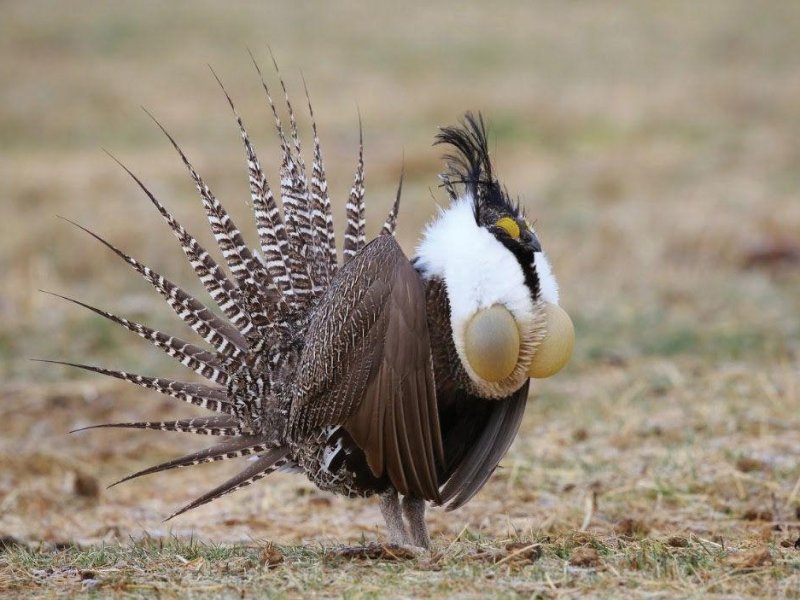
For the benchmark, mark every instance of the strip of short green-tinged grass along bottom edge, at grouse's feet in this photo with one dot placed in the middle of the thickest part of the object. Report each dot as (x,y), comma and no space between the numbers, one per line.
(470,564)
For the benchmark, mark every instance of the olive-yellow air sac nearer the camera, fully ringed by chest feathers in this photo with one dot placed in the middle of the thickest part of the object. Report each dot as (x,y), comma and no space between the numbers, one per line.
(491,343)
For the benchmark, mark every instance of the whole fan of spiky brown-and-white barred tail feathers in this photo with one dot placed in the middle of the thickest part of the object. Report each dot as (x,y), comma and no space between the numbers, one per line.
(299,261)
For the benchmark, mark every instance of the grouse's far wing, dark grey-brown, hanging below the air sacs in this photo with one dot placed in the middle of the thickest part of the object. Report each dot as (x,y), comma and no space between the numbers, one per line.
(480,455)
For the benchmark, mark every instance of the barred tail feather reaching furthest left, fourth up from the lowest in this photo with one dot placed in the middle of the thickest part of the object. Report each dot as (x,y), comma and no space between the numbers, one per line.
(214,399)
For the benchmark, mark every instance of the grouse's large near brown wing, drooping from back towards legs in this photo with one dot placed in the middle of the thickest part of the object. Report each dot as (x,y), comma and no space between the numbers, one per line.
(367,366)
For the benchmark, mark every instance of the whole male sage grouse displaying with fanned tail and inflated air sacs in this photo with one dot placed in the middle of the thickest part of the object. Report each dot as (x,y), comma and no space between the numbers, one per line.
(376,375)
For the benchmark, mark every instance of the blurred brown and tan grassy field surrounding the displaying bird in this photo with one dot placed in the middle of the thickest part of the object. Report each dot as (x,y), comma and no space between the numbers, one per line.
(657,145)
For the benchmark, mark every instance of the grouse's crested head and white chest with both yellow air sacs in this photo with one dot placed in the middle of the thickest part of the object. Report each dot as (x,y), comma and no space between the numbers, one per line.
(506,323)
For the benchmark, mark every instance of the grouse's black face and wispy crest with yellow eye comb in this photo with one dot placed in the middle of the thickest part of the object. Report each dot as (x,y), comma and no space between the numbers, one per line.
(471,167)
